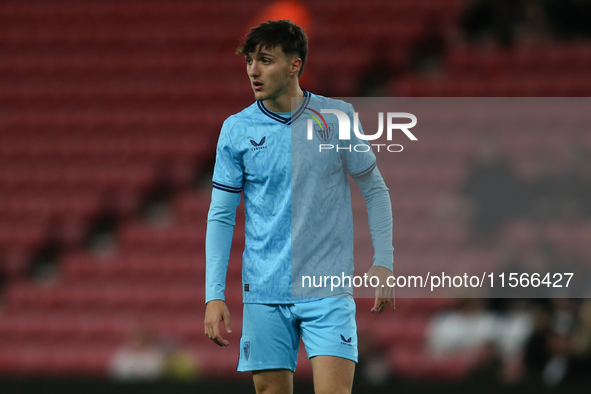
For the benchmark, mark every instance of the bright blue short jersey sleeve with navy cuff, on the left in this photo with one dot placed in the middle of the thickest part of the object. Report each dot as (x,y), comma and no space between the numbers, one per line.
(228,172)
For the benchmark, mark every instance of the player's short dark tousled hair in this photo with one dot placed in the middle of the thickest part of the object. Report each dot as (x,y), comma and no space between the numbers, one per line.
(288,35)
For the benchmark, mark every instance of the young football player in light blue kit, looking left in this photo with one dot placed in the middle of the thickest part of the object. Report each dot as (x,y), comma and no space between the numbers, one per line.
(254,156)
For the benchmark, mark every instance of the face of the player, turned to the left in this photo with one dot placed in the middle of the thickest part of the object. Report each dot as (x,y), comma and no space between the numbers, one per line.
(270,71)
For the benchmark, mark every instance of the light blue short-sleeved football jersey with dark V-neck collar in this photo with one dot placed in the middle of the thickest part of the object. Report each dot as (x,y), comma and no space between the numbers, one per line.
(289,189)
